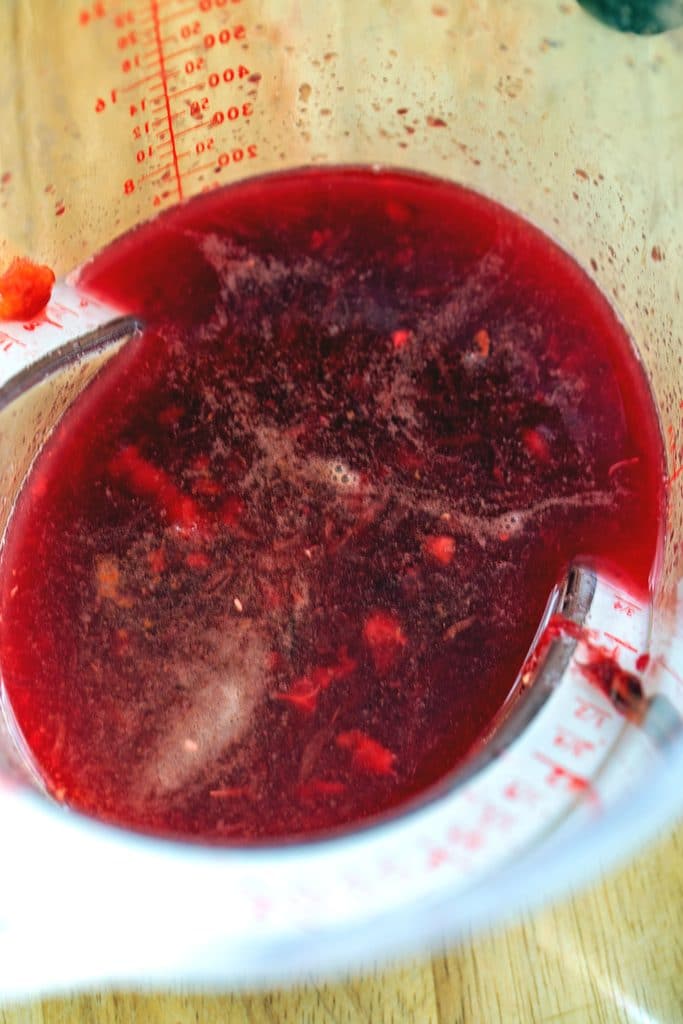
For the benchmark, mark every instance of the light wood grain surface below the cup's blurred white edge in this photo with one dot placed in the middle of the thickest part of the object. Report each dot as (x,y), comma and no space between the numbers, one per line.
(611,955)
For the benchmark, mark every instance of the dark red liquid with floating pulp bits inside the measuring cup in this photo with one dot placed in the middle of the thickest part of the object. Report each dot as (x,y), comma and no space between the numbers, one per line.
(277,571)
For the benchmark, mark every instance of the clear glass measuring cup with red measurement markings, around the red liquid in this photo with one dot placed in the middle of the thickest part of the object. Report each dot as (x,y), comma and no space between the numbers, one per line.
(543,109)
